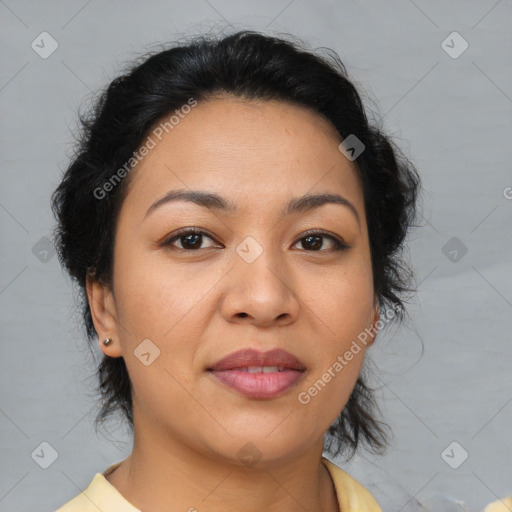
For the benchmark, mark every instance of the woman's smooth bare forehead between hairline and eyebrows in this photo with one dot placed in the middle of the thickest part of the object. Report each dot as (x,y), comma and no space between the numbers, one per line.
(259,149)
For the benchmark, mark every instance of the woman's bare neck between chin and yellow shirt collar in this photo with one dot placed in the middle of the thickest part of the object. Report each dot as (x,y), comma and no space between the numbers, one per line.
(162,471)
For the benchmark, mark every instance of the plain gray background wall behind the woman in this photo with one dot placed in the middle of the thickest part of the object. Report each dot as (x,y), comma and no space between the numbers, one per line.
(450,115)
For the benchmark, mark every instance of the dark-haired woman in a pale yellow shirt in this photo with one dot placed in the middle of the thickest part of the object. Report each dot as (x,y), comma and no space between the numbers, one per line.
(235,227)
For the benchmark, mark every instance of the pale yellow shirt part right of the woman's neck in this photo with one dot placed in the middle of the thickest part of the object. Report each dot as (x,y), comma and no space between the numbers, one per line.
(352,496)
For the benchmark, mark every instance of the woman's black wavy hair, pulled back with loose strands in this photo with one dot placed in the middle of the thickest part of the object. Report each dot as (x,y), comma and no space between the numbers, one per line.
(248,65)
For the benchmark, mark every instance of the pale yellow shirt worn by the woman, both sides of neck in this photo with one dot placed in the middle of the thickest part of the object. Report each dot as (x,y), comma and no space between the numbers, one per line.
(102,495)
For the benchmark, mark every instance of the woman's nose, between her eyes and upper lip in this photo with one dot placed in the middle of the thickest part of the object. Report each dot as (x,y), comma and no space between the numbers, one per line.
(261,292)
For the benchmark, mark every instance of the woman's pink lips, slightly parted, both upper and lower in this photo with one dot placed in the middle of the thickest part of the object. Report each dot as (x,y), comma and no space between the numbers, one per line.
(232,372)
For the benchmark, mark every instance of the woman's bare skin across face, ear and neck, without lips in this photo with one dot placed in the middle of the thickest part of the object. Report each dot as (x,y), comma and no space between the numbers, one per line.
(199,305)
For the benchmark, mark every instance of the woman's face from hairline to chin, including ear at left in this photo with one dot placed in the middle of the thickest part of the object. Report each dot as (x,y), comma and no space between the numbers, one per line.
(252,280)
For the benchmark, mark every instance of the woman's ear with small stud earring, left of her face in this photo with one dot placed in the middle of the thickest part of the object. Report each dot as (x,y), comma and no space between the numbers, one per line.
(104,315)
